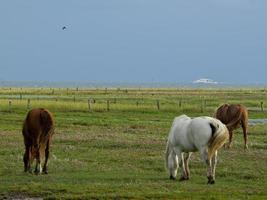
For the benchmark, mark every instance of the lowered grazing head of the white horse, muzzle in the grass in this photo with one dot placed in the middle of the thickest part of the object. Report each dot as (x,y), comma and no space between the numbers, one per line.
(171,161)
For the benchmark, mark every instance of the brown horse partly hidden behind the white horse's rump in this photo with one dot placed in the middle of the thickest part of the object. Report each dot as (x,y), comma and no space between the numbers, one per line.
(233,116)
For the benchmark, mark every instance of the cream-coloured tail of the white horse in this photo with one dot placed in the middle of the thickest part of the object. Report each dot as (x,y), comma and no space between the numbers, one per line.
(219,136)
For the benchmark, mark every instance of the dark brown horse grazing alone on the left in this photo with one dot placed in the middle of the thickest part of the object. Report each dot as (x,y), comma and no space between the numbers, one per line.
(37,131)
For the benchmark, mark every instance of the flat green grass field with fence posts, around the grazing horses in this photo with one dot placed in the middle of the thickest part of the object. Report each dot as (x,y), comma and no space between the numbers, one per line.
(115,149)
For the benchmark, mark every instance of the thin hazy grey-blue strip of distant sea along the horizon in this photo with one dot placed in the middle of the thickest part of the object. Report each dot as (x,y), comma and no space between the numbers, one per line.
(74,84)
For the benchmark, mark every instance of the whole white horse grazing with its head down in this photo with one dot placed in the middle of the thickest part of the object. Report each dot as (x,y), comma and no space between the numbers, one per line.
(204,134)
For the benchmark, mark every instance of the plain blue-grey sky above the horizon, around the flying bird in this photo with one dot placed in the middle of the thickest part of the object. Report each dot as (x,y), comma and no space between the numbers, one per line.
(172,41)
